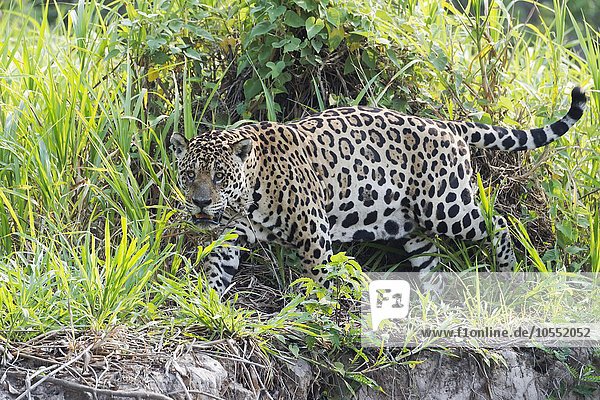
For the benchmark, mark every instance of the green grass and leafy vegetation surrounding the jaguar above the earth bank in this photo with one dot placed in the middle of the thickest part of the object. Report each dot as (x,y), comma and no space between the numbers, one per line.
(90,234)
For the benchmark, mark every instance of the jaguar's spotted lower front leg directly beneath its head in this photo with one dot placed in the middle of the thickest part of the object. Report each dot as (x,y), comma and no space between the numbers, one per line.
(221,265)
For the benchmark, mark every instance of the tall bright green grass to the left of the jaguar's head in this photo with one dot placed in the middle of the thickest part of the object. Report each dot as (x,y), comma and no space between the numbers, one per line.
(76,172)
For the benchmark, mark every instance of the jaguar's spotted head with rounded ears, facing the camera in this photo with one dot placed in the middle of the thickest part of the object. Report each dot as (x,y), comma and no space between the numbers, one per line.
(211,174)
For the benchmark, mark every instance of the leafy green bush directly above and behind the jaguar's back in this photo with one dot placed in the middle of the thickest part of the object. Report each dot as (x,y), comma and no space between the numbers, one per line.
(265,59)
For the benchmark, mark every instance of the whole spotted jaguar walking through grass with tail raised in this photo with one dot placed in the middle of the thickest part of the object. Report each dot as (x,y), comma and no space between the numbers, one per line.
(344,175)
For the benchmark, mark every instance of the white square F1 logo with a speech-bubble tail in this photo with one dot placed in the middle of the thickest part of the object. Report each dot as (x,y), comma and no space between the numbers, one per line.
(388,299)
